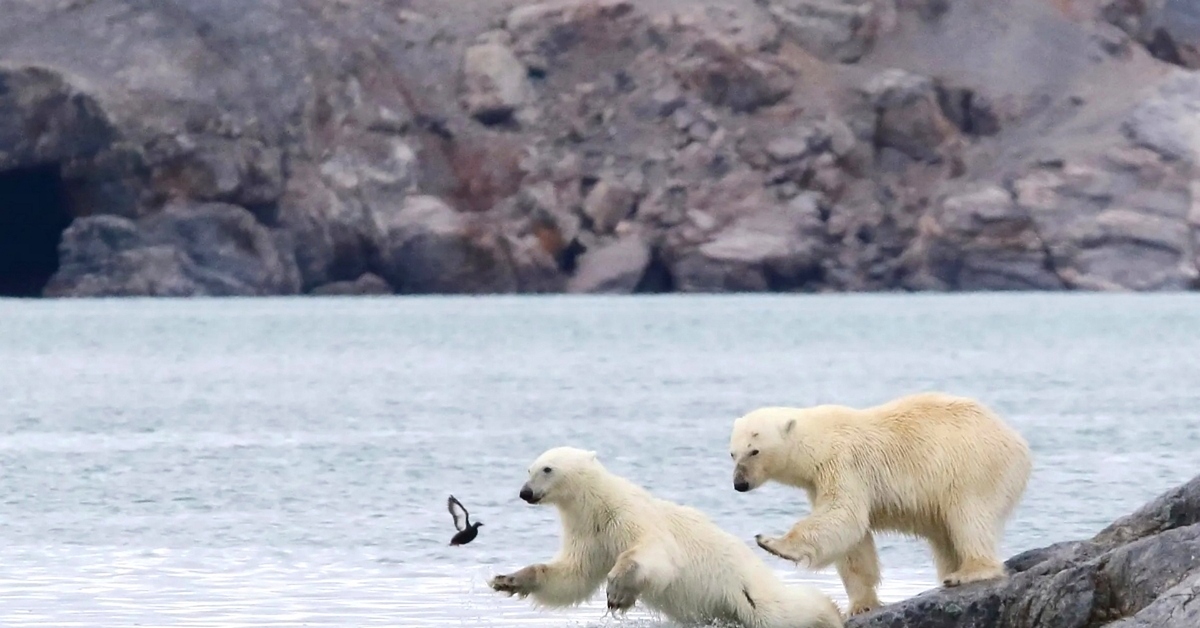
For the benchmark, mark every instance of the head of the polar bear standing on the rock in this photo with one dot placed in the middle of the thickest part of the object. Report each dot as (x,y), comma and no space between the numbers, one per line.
(761,442)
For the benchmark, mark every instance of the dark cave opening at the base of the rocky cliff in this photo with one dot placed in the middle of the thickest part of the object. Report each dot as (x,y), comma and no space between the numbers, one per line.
(34,213)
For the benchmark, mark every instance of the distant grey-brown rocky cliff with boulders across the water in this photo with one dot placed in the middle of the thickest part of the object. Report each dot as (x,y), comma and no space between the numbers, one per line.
(353,147)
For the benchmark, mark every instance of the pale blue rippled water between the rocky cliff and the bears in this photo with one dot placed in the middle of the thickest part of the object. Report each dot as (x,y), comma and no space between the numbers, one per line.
(286,463)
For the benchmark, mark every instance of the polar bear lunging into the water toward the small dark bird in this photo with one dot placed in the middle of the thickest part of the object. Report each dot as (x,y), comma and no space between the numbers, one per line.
(670,557)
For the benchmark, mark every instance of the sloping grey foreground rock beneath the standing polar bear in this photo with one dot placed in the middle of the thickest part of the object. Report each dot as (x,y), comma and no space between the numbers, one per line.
(1141,572)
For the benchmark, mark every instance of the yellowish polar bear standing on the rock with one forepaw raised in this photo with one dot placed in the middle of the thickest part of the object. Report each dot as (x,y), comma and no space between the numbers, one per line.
(931,465)
